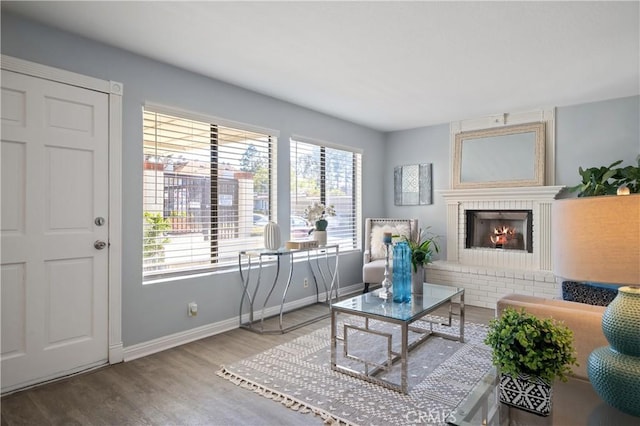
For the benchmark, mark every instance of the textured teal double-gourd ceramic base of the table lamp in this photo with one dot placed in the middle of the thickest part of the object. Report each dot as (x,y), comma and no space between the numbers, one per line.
(614,371)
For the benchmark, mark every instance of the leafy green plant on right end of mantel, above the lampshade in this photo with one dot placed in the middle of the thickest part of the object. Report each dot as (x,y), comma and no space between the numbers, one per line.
(606,180)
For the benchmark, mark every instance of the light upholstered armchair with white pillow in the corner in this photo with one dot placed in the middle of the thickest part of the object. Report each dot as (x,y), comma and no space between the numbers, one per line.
(374,248)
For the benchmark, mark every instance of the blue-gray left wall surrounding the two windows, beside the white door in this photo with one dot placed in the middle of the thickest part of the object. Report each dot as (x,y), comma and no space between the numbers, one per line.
(156,310)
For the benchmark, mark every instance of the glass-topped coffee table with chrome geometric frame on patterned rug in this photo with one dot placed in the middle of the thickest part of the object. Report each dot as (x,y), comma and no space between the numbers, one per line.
(380,350)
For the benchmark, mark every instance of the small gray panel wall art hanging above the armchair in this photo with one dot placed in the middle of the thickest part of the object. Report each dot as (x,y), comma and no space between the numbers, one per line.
(412,185)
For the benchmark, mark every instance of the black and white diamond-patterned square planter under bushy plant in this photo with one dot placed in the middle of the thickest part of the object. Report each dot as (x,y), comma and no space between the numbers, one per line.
(529,393)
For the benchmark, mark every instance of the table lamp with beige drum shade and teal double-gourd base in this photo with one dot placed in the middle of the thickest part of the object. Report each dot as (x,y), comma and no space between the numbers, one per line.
(597,239)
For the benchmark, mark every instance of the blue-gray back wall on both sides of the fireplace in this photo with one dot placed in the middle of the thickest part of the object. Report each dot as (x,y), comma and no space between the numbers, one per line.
(587,135)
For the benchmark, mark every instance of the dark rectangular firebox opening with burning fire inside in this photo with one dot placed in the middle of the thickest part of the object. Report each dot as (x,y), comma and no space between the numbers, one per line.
(500,229)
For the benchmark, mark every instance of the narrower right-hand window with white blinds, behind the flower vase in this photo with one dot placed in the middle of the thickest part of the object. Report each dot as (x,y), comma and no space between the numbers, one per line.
(329,175)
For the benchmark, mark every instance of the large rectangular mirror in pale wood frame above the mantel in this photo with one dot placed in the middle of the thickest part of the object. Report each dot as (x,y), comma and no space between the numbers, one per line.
(500,157)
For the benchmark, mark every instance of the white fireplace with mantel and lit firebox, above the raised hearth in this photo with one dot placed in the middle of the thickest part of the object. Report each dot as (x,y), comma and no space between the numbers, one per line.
(526,211)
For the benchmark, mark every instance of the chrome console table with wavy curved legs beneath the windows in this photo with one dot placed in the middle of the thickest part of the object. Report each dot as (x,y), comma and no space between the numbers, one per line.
(324,273)
